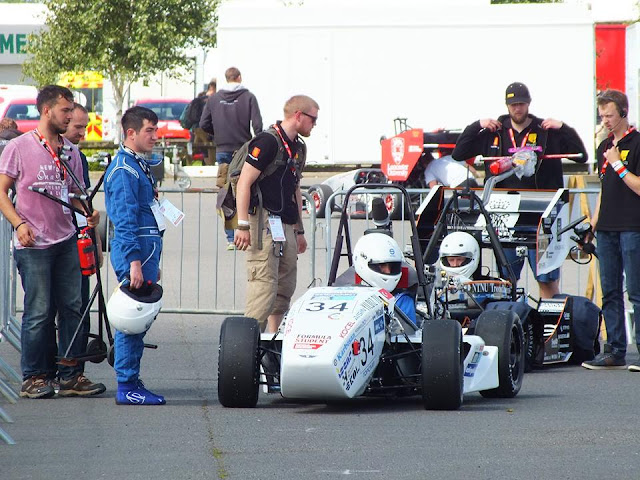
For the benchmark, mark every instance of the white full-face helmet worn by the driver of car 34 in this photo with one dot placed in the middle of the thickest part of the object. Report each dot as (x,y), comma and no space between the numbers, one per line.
(370,252)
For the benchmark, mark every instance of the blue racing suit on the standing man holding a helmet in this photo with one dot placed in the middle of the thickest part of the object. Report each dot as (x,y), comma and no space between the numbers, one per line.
(129,194)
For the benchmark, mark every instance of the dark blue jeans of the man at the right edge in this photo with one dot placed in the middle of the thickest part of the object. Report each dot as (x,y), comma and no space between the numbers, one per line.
(617,252)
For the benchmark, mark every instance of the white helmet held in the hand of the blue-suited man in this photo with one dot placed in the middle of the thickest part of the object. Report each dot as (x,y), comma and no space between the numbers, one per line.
(133,311)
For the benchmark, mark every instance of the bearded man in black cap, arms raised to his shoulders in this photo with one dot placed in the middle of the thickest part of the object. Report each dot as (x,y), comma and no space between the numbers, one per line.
(516,130)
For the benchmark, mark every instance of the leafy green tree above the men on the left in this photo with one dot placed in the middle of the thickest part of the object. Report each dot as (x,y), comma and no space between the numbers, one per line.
(125,40)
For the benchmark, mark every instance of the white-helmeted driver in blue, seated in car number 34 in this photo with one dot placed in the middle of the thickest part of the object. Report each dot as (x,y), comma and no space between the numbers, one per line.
(378,262)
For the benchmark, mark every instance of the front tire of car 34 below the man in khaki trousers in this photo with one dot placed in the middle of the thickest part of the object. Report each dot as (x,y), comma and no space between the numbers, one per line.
(238,368)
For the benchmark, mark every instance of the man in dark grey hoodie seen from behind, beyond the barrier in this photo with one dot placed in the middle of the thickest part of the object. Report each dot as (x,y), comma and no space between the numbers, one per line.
(229,115)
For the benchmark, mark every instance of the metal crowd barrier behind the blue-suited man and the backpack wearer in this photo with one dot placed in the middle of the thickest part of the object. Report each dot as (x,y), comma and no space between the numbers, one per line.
(199,274)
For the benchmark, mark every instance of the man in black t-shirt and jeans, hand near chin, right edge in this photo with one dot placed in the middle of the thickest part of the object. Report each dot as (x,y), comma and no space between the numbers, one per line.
(617,225)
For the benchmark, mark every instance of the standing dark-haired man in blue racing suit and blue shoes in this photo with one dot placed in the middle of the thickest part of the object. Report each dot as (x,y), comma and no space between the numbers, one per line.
(132,206)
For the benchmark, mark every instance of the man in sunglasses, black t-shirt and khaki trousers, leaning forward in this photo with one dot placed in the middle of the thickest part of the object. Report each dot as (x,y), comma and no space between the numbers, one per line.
(272,270)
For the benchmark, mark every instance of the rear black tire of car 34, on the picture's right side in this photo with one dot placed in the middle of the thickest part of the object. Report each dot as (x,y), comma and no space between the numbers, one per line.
(504,330)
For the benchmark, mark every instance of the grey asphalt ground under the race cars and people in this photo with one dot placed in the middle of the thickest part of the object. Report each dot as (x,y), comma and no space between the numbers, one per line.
(566,423)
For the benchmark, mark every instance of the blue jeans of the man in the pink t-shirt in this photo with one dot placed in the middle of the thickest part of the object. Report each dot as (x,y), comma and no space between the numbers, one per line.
(50,276)
